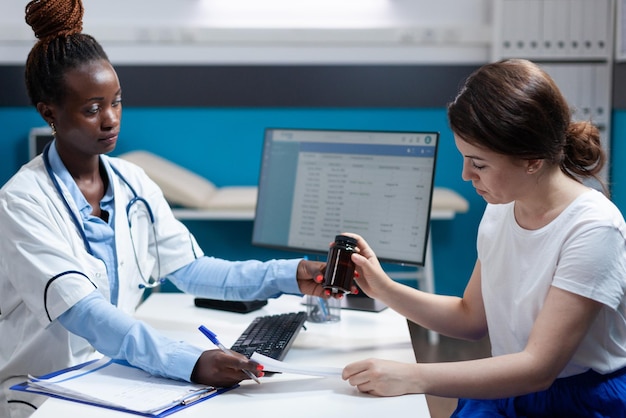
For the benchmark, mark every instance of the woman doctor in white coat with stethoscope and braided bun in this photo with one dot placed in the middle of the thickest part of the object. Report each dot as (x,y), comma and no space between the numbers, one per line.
(83,233)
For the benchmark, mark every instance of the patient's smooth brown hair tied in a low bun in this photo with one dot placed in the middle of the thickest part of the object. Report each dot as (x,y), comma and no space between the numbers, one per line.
(514,108)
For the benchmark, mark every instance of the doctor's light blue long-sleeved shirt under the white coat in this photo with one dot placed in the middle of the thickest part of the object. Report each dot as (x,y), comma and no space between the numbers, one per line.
(117,335)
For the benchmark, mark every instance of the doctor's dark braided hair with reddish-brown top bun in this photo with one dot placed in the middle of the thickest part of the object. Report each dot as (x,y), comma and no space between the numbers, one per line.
(61,46)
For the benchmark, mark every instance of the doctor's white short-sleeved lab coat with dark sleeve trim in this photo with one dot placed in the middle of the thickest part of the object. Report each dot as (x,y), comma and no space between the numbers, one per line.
(45,268)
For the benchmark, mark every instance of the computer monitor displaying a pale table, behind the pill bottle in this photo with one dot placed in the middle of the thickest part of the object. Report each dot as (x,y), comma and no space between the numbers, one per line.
(315,184)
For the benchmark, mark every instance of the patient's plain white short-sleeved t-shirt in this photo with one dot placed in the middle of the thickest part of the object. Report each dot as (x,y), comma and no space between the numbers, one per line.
(582,251)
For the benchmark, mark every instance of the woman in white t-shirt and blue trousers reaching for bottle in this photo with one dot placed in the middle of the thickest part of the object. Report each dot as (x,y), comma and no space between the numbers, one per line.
(548,287)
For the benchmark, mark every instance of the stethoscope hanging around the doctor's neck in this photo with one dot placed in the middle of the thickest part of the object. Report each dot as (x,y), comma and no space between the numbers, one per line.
(148,283)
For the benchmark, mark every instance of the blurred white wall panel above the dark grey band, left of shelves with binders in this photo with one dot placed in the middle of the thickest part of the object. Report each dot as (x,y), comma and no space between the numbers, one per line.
(303,31)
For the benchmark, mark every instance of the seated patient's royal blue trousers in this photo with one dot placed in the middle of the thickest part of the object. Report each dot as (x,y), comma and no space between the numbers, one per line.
(588,395)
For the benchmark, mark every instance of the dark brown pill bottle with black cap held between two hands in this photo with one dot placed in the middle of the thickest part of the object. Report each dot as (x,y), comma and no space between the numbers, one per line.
(339,266)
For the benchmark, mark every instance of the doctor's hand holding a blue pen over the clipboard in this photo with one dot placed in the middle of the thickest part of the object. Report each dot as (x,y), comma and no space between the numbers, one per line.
(216,368)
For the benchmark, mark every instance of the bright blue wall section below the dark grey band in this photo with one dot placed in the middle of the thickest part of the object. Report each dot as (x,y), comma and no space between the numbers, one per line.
(224,145)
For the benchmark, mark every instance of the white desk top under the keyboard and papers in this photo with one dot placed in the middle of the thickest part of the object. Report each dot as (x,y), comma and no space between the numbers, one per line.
(358,335)
